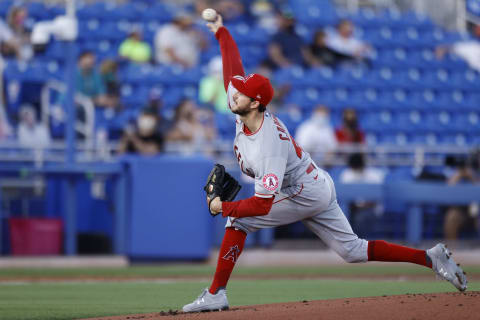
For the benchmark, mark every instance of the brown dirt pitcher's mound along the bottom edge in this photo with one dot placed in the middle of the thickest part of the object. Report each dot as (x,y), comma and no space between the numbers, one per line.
(435,306)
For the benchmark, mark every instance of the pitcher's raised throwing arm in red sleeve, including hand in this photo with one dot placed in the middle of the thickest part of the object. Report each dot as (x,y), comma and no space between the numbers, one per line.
(231,60)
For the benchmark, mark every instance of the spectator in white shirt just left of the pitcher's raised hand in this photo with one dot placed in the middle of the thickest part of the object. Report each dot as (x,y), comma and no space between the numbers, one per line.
(178,42)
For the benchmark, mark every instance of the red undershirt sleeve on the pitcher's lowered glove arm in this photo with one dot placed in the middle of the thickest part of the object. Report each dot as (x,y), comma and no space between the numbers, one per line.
(250,207)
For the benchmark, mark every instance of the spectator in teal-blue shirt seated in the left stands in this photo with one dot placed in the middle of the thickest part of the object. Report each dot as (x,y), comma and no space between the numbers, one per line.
(89,82)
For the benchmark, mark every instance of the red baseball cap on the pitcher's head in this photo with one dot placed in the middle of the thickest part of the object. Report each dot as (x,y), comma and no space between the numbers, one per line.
(254,86)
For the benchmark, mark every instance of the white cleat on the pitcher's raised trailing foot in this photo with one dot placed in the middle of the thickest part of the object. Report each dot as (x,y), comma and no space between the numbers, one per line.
(446,268)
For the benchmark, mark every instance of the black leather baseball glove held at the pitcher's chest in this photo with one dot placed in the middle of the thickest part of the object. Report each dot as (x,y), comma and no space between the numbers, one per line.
(221,184)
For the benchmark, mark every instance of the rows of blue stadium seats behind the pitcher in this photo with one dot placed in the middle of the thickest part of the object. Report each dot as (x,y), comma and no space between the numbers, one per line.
(405,90)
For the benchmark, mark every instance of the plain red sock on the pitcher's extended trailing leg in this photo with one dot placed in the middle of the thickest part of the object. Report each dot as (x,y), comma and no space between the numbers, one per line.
(380,250)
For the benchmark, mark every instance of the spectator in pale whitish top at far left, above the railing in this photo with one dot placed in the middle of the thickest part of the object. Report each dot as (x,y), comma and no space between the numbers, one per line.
(30,132)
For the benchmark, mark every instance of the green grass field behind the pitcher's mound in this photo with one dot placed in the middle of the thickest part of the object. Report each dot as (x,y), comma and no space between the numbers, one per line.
(70,300)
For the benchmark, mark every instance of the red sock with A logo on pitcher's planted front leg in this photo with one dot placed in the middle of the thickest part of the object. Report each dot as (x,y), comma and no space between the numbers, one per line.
(232,246)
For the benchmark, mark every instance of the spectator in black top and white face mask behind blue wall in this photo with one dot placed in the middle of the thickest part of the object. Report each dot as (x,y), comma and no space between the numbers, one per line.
(144,138)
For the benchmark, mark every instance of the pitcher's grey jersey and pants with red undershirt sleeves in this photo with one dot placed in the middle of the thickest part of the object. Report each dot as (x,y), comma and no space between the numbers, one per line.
(289,187)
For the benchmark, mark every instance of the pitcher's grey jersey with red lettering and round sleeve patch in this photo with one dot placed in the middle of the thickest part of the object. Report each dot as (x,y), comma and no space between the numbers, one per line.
(270,155)
